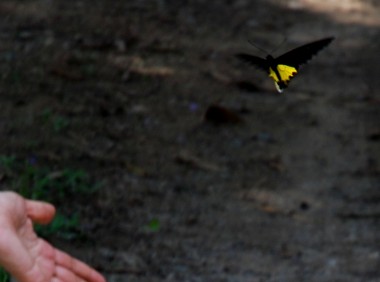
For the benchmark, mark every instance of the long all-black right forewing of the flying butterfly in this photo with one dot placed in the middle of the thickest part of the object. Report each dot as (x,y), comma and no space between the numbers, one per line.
(302,54)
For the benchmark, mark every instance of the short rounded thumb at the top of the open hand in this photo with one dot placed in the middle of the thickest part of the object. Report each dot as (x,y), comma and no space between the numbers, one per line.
(40,212)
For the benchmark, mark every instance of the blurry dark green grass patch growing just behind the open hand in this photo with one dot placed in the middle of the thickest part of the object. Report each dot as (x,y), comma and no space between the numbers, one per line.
(57,186)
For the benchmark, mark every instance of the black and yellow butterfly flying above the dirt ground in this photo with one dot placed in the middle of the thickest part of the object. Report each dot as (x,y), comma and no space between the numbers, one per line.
(284,67)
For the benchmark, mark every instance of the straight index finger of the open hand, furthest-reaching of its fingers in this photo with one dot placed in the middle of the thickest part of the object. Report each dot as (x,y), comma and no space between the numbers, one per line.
(78,267)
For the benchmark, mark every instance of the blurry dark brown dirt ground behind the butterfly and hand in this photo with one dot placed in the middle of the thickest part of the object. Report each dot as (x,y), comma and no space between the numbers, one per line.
(208,173)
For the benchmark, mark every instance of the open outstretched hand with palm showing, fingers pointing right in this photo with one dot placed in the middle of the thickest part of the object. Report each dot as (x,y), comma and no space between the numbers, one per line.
(26,256)
